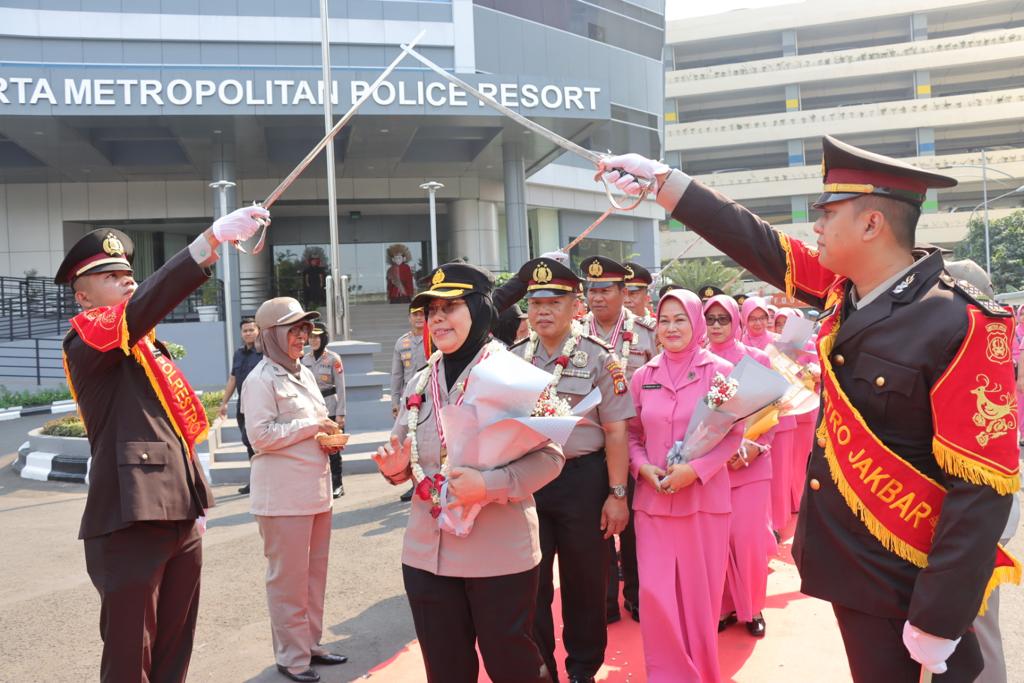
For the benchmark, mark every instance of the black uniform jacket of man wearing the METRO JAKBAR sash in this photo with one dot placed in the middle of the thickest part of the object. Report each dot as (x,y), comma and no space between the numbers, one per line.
(909,336)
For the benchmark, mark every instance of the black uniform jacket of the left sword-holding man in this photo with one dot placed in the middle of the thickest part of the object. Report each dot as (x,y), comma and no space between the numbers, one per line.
(125,420)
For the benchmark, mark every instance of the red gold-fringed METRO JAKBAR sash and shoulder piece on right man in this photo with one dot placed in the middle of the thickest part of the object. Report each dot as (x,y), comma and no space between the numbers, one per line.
(899,504)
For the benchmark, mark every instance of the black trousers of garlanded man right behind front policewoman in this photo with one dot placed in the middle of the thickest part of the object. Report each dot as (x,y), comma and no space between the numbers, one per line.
(570,510)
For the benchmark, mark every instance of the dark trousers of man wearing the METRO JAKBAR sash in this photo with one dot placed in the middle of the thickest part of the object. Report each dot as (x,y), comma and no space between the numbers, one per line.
(876,652)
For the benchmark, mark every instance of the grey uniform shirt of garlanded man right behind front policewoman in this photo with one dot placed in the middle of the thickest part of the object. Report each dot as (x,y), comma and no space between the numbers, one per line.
(593,365)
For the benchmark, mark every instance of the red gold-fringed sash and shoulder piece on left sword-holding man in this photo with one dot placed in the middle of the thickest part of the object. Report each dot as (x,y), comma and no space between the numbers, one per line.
(106,329)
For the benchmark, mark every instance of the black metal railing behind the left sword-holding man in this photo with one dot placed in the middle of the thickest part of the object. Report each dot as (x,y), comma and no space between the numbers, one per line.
(34,308)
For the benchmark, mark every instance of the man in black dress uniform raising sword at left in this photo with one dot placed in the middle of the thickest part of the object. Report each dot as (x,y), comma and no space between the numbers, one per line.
(145,511)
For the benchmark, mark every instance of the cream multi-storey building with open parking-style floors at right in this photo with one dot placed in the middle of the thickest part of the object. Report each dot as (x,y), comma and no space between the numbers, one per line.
(938,83)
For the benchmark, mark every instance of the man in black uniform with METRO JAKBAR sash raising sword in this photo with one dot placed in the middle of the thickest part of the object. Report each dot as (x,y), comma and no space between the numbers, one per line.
(911,481)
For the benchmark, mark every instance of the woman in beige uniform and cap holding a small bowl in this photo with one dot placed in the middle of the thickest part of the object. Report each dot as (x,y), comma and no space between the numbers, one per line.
(291,486)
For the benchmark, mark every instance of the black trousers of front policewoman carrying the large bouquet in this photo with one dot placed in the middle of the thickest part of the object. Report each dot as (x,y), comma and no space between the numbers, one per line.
(453,615)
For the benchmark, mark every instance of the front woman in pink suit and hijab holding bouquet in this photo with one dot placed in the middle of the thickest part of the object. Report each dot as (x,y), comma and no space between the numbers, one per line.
(681,513)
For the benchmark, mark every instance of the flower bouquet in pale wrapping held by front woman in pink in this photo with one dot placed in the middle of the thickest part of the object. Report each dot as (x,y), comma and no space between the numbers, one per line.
(749,389)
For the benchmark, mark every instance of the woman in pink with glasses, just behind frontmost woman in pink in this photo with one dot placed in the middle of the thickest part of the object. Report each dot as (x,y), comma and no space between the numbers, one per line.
(751,540)
